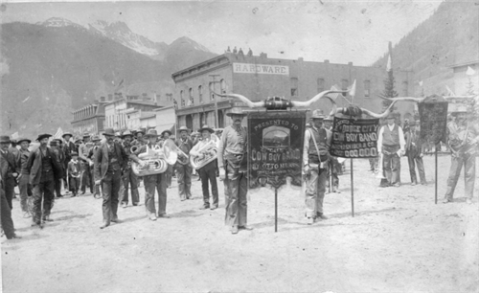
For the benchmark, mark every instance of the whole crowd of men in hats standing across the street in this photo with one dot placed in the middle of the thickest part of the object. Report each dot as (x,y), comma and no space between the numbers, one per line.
(103,166)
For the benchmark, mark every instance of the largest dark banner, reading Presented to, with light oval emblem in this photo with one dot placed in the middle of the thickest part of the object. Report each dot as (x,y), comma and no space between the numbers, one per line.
(275,147)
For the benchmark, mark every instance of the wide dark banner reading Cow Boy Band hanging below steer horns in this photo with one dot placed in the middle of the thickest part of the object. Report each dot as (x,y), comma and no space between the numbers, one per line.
(354,138)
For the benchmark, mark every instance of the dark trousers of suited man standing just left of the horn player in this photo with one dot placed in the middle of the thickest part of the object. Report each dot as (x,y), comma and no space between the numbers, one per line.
(111,189)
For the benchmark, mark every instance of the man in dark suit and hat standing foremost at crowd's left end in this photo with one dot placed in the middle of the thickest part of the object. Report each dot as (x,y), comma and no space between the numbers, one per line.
(44,170)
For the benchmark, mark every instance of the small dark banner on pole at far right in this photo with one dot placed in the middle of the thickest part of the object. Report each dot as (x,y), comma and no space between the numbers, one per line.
(433,117)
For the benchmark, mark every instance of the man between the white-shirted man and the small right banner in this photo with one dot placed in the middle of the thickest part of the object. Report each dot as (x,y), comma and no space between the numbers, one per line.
(414,152)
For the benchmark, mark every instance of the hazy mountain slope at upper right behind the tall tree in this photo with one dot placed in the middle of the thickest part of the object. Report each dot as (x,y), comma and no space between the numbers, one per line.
(450,36)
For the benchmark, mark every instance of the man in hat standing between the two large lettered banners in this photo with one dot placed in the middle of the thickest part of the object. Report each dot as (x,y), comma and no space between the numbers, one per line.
(315,166)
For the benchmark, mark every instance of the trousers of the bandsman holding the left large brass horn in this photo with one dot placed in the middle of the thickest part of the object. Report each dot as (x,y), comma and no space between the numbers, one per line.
(158,182)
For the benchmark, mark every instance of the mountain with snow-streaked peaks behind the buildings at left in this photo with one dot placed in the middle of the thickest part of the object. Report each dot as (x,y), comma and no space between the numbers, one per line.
(52,67)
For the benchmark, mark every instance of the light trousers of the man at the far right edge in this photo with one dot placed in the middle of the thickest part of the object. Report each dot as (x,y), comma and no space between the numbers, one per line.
(469,163)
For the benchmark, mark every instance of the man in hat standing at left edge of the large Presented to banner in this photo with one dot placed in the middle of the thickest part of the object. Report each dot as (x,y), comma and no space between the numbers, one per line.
(232,165)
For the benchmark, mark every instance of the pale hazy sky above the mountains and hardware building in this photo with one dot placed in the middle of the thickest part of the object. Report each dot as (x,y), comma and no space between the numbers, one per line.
(340,31)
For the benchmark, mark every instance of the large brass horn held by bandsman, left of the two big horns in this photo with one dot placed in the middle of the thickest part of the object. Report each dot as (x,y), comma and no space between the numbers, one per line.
(156,159)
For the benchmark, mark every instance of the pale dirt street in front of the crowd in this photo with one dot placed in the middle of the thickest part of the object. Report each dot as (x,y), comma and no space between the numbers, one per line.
(399,240)
